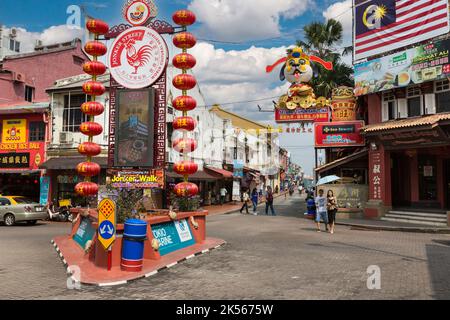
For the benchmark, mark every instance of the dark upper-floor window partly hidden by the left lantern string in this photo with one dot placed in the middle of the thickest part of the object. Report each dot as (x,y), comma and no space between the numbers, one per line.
(73,117)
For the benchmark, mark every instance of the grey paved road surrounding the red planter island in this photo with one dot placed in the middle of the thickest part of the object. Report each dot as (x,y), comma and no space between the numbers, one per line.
(266,257)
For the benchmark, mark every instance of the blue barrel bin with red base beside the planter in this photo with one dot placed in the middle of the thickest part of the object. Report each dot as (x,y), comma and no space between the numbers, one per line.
(134,236)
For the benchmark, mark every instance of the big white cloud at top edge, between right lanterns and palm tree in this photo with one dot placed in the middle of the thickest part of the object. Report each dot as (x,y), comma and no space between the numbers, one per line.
(245,20)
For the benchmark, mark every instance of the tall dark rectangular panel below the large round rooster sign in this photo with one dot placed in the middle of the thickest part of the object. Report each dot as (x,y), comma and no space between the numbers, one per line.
(134,128)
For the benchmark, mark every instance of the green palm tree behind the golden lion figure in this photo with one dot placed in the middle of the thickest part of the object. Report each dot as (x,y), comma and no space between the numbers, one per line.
(321,40)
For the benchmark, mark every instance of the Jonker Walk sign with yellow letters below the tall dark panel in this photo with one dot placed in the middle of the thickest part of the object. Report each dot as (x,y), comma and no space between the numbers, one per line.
(129,179)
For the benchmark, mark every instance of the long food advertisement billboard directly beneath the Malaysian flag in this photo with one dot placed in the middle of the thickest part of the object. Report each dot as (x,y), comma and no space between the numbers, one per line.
(422,63)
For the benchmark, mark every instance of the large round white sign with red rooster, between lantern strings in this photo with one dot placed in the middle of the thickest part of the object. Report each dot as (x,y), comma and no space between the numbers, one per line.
(138,57)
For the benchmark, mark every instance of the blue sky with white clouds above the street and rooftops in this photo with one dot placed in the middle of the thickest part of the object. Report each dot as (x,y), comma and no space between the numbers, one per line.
(238,38)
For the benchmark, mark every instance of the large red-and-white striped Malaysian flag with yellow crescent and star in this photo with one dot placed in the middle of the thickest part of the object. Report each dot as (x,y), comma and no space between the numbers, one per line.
(385,25)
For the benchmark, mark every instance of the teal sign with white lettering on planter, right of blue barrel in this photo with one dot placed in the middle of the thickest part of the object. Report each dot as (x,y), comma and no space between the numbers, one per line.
(173,236)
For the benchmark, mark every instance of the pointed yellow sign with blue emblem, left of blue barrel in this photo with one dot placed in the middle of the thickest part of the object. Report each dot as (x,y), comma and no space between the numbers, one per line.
(107,223)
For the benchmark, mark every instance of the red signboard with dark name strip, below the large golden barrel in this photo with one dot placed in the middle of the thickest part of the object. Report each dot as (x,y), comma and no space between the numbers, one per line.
(339,134)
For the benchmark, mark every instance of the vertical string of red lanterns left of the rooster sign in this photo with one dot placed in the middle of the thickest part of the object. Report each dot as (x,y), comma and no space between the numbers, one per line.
(89,169)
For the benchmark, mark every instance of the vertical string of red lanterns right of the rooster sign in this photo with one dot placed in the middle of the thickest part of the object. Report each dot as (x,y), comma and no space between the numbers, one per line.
(184,103)
